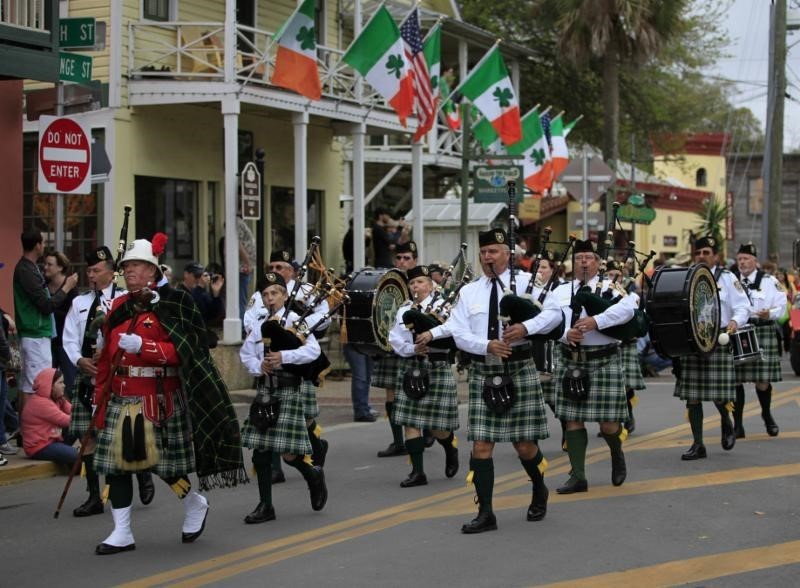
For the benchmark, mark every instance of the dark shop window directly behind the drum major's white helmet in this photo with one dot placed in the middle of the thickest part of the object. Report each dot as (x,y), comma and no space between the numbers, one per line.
(168,206)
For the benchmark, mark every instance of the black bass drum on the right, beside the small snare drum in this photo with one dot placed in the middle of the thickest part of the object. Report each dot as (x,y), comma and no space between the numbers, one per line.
(684,309)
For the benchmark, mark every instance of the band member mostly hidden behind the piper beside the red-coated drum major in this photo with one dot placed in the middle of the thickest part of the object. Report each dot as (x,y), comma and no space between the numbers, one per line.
(280,262)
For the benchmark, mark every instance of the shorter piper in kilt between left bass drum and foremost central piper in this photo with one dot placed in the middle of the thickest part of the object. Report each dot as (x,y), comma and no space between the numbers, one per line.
(435,408)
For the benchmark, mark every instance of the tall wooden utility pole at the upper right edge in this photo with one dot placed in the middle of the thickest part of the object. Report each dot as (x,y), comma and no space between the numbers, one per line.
(773,160)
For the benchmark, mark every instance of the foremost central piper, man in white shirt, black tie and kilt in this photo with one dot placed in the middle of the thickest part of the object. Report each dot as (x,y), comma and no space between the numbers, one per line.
(500,411)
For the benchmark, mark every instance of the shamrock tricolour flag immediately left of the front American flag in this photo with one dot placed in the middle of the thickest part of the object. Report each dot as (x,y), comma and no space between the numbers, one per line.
(378,55)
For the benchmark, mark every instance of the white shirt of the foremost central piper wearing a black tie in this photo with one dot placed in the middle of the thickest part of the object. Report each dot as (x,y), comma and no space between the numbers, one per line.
(469,321)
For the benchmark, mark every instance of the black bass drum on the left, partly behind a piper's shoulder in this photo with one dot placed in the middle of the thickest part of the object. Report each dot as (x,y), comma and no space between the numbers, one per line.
(375,297)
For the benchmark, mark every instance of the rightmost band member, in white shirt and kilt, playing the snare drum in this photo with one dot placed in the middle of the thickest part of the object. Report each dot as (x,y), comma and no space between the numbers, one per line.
(768,302)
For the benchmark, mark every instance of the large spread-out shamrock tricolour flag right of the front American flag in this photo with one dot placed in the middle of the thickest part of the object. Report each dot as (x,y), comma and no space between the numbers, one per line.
(488,87)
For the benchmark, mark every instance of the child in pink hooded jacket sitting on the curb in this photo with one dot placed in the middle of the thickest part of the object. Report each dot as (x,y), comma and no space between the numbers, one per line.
(46,413)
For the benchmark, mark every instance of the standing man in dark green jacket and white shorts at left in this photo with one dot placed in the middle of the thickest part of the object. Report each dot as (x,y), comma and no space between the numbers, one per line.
(33,309)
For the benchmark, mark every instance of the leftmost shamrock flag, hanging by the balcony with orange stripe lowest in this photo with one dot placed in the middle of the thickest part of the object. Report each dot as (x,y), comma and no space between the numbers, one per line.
(296,60)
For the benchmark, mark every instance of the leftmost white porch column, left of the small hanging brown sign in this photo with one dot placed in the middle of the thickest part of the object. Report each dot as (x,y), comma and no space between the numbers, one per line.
(232,326)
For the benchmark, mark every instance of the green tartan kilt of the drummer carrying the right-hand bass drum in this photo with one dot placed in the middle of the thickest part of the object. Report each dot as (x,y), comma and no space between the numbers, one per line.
(708,378)
